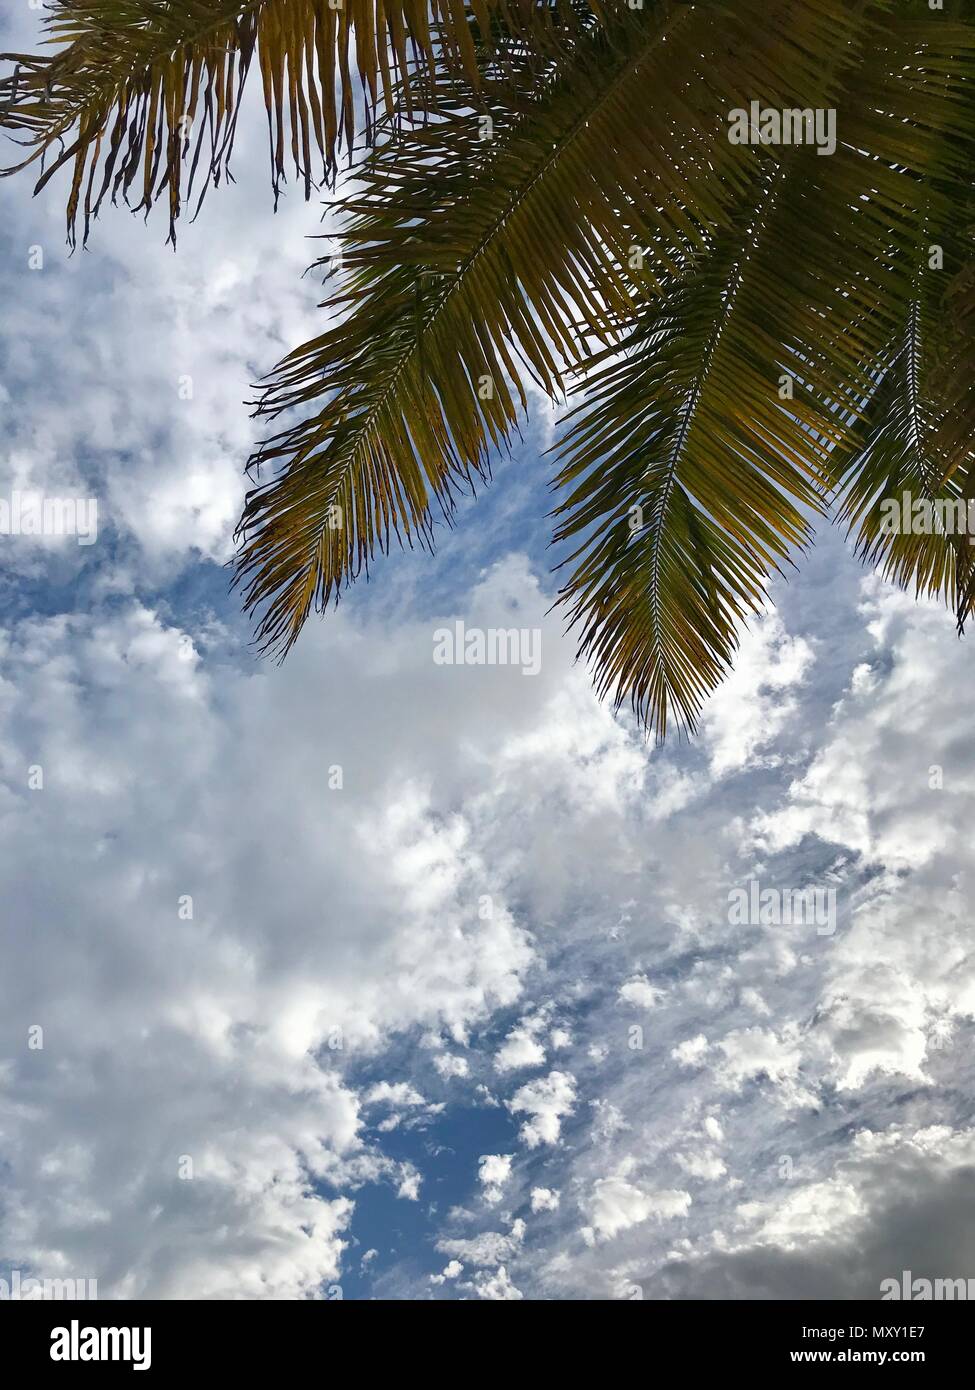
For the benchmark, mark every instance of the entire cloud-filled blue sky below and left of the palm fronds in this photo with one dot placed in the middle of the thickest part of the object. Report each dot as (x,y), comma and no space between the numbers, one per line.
(564,1072)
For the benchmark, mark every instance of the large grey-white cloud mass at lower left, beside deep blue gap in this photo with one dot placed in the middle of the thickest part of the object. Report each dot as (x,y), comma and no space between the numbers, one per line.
(230,929)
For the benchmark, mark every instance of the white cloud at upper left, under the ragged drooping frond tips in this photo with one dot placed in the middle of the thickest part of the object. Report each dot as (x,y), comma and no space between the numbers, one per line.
(134,363)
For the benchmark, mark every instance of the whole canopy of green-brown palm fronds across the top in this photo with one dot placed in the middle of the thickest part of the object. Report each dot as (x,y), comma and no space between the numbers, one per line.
(550,195)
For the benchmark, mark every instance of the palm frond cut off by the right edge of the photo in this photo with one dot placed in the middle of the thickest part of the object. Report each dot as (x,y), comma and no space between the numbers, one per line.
(920,418)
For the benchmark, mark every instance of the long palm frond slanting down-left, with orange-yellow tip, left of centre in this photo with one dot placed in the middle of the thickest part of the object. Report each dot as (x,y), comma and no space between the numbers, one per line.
(474,261)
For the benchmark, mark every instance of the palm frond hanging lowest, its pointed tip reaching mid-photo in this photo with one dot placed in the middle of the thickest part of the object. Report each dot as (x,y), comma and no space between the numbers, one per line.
(688,433)
